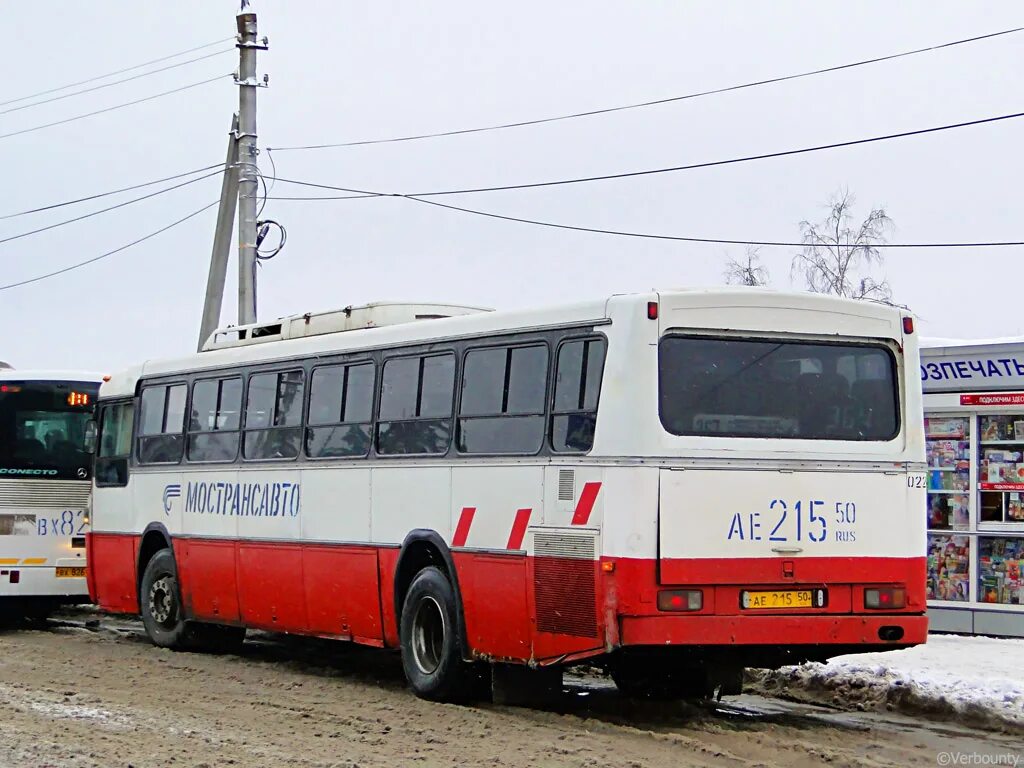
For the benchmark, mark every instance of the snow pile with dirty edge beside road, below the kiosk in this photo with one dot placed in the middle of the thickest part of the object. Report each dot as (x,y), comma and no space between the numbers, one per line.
(979,680)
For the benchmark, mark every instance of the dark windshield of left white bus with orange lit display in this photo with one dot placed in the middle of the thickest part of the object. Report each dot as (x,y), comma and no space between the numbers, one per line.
(42,430)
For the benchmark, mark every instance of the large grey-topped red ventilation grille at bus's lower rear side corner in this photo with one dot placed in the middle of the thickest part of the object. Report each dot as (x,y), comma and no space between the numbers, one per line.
(565,585)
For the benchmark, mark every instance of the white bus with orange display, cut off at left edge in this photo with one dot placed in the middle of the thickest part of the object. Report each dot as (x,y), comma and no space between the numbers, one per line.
(46,481)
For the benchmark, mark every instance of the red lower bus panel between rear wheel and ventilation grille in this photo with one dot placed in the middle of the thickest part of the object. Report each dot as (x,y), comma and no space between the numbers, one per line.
(495,605)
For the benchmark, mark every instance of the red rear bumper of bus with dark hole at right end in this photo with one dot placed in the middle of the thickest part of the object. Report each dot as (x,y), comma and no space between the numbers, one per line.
(894,630)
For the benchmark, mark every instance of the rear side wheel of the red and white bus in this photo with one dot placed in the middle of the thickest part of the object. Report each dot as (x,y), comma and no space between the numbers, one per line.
(432,654)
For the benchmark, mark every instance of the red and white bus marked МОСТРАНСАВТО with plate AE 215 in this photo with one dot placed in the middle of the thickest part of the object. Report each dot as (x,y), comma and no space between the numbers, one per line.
(674,485)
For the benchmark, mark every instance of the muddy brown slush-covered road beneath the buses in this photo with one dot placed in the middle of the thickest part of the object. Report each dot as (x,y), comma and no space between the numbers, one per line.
(88,691)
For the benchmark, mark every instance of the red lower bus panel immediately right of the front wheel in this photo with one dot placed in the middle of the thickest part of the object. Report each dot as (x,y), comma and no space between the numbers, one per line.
(206,575)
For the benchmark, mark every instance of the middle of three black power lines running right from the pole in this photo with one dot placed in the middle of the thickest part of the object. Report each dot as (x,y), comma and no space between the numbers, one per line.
(357,194)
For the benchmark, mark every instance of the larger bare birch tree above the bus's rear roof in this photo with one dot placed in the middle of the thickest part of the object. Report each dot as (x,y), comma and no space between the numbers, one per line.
(838,257)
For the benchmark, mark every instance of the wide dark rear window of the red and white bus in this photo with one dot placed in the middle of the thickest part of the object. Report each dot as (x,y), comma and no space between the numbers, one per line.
(724,388)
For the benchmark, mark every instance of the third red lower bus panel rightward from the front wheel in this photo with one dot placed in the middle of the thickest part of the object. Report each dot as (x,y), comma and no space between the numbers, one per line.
(343,592)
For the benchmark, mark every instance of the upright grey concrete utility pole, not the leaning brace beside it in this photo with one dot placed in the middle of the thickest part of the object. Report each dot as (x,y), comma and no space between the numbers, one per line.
(248,184)
